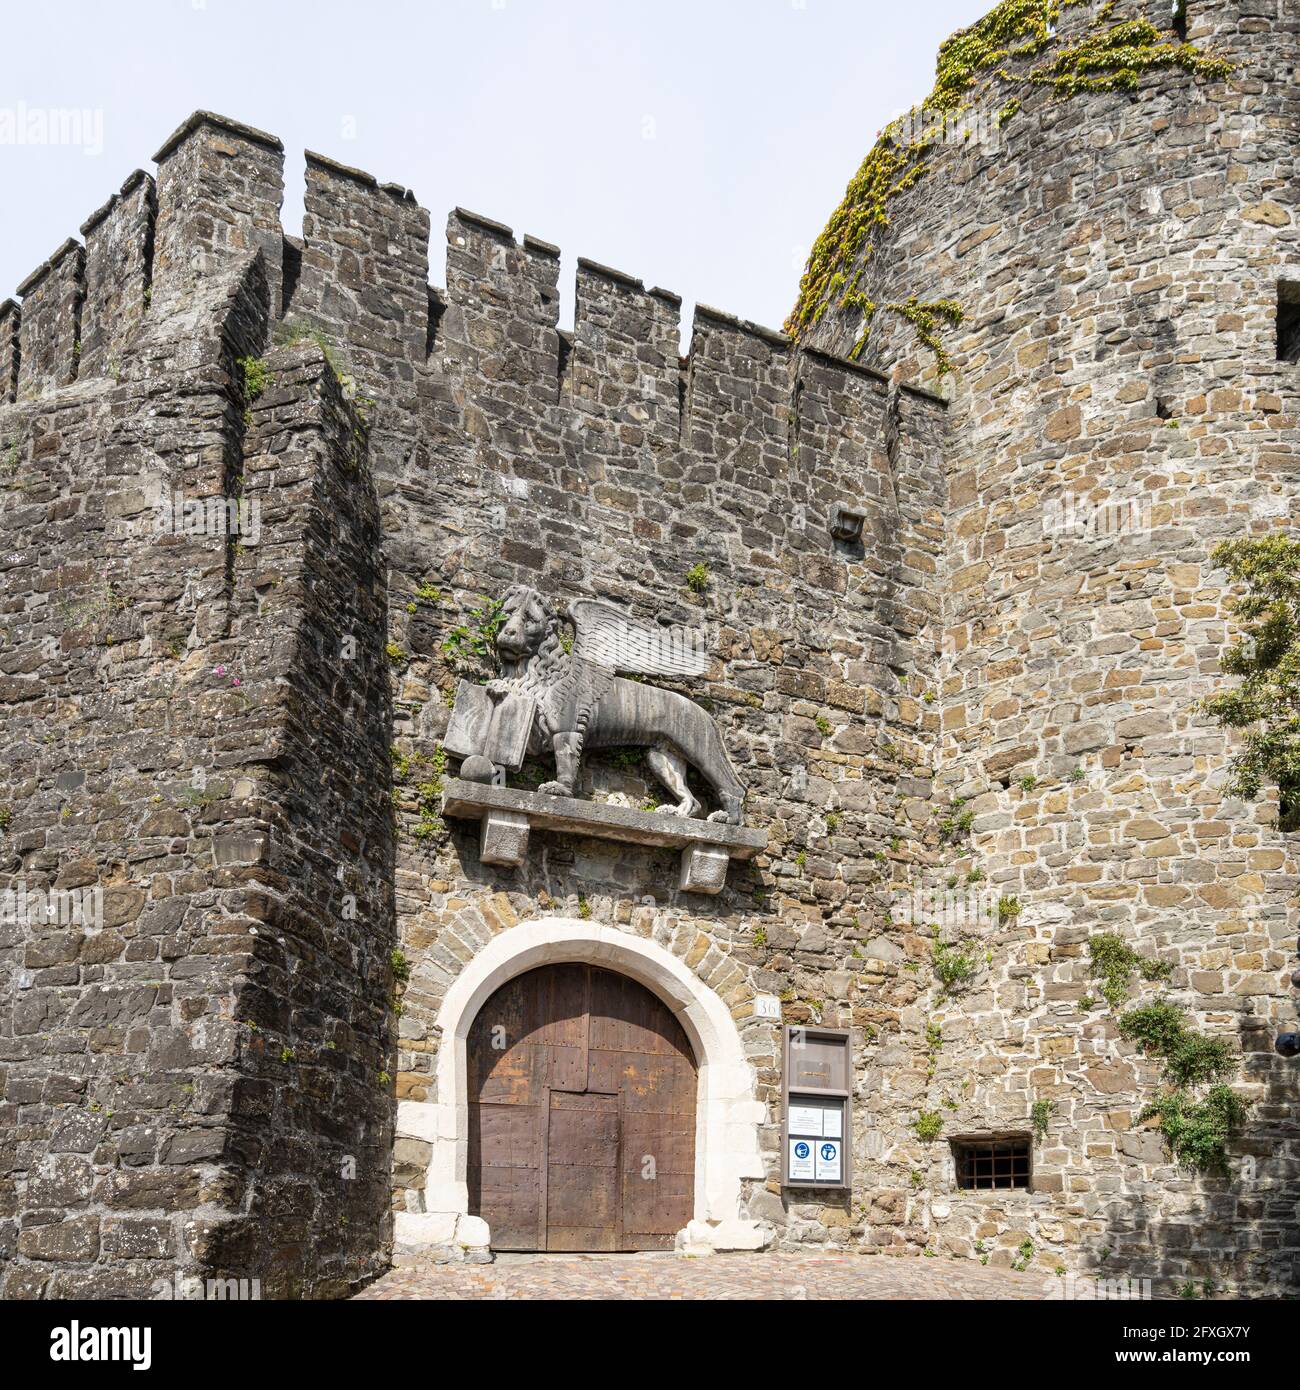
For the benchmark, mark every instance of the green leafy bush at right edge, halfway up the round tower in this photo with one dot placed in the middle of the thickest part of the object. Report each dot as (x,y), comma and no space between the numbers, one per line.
(1267,658)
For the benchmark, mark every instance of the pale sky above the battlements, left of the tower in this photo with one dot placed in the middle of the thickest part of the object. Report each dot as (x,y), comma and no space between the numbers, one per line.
(699,147)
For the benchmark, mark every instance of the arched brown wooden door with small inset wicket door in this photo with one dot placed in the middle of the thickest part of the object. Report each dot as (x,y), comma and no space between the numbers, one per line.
(582,1097)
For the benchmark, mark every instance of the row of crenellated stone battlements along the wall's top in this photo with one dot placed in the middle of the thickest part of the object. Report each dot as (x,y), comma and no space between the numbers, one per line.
(359,277)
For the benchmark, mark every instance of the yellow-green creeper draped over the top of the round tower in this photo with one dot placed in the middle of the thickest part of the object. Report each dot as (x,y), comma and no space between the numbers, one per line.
(988,58)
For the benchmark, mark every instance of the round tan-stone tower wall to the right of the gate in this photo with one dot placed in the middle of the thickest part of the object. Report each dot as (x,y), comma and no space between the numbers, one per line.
(1117,409)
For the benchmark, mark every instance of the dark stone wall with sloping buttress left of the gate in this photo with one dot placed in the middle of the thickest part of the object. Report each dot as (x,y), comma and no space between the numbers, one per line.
(193,1075)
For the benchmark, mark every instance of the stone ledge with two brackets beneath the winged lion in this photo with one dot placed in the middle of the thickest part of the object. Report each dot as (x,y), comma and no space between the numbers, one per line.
(508,817)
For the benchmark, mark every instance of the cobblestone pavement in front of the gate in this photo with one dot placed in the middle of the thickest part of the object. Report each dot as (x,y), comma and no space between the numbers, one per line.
(722,1277)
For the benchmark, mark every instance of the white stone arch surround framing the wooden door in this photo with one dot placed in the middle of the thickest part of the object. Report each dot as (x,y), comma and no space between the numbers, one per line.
(729,1117)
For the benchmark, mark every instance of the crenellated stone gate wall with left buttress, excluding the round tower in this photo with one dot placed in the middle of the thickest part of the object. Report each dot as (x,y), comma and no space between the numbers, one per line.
(236,1070)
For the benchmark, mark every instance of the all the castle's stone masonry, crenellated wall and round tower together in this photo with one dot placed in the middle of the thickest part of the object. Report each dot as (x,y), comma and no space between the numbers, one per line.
(219,1078)
